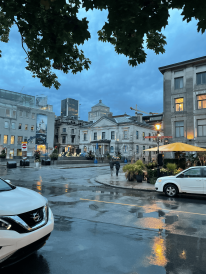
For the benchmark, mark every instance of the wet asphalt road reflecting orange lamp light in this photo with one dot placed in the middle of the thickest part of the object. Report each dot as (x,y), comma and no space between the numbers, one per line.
(105,230)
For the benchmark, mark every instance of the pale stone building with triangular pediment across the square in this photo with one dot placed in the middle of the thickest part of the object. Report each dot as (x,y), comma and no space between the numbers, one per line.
(123,133)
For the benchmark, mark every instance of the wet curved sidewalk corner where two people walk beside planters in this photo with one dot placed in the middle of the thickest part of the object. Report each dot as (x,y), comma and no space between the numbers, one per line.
(121,182)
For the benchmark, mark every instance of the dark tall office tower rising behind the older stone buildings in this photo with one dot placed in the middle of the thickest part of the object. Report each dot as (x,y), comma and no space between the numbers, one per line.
(70,108)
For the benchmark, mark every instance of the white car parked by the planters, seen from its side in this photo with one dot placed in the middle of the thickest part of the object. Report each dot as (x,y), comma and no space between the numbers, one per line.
(191,180)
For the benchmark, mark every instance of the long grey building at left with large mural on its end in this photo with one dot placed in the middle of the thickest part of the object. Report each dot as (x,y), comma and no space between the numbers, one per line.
(22,120)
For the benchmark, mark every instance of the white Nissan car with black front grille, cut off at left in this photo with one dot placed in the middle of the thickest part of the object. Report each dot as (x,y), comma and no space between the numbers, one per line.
(26,222)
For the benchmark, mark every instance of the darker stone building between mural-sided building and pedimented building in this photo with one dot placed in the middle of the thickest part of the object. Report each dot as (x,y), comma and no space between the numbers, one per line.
(67,134)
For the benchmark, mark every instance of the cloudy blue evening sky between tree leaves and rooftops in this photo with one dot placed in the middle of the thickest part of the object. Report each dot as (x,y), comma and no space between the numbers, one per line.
(109,78)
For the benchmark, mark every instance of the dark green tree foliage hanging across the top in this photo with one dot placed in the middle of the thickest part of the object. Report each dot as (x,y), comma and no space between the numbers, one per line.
(51,30)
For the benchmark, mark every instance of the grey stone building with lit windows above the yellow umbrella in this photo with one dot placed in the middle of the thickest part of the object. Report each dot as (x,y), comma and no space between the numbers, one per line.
(185,101)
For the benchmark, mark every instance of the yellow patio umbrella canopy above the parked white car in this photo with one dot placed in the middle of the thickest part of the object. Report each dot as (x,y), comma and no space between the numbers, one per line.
(177,147)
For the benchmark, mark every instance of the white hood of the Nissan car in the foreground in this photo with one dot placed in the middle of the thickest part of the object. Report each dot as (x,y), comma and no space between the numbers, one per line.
(19,200)
